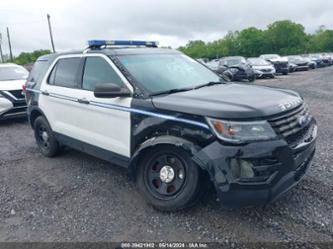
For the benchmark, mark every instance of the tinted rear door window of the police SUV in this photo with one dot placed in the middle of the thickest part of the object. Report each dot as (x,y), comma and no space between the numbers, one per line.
(65,73)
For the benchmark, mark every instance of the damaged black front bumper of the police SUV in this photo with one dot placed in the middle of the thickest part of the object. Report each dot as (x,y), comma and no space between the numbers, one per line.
(277,167)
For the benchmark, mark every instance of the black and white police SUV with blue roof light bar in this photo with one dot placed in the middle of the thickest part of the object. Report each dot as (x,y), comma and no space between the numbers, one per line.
(170,121)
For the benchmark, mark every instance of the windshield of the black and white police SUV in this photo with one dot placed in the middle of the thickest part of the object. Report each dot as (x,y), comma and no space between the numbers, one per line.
(163,72)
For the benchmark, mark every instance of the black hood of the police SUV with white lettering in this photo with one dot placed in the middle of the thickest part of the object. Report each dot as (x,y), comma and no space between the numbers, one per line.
(230,101)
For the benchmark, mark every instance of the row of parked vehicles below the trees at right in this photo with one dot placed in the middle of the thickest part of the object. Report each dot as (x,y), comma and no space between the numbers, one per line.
(237,68)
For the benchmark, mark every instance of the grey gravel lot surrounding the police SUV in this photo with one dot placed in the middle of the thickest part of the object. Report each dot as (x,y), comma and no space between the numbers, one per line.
(76,197)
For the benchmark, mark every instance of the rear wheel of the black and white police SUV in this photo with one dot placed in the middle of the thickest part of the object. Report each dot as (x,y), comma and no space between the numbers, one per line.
(45,138)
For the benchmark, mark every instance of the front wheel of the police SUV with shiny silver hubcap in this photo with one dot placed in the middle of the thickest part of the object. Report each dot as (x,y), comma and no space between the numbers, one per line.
(167,194)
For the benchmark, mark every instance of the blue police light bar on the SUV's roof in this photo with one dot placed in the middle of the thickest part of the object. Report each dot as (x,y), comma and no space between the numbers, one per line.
(100,43)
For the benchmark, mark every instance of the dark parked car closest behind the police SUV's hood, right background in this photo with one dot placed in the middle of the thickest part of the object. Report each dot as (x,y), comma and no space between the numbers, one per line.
(237,68)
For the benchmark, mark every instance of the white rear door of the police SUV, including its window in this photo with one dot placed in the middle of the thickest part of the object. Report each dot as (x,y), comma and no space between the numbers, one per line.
(59,94)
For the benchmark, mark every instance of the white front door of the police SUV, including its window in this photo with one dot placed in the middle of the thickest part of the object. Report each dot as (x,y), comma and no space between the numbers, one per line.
(100,121)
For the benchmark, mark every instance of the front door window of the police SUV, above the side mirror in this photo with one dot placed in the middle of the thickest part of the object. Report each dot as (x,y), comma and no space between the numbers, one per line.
(98,71)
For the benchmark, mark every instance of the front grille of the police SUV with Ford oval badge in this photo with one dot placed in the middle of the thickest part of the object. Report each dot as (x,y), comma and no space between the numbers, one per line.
(287,125)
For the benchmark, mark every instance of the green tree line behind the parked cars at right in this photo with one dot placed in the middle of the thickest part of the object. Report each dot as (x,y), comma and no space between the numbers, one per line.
(281,37)
